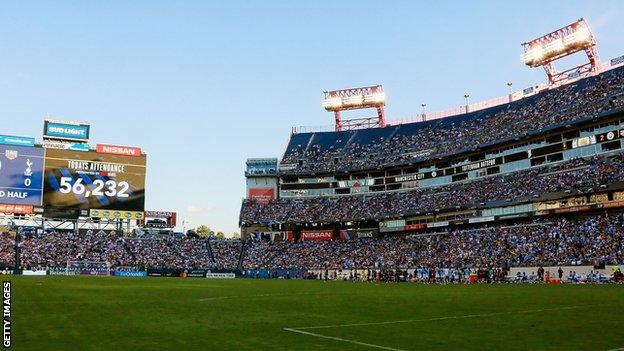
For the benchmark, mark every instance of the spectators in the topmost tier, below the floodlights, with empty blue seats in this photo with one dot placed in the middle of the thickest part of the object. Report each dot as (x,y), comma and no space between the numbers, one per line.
(372,148)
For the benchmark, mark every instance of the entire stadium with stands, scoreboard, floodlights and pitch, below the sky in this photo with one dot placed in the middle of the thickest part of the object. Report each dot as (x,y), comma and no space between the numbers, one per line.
(494,224)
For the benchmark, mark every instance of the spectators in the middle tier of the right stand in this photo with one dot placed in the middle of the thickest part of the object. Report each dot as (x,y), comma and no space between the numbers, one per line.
(581,174)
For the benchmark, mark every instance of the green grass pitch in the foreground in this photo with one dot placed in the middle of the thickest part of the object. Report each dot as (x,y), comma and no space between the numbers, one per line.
(96,313)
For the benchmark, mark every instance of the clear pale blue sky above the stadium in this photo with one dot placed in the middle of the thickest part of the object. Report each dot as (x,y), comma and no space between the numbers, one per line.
(201,86)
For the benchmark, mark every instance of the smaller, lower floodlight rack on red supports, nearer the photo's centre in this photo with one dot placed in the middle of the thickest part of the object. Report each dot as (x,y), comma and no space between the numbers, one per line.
(337,101)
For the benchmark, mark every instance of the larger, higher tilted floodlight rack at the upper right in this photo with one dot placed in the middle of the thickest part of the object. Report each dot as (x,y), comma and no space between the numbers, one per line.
(573,38)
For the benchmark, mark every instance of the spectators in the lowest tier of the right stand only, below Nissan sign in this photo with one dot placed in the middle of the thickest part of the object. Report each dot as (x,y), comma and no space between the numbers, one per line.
(548,242)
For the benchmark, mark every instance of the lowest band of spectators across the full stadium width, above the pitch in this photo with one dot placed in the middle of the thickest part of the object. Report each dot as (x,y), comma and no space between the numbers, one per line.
(547,242)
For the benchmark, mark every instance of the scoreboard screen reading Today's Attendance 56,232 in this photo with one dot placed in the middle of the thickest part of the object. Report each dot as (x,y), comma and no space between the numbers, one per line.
(87,180)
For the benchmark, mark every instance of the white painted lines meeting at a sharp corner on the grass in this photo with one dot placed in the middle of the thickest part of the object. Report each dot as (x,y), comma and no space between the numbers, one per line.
(302,331)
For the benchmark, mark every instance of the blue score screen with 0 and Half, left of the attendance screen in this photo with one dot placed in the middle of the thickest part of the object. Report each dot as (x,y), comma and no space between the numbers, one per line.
(21,168)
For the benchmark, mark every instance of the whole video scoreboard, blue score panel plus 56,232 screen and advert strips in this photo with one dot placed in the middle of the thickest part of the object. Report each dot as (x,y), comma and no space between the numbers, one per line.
(109,181)
